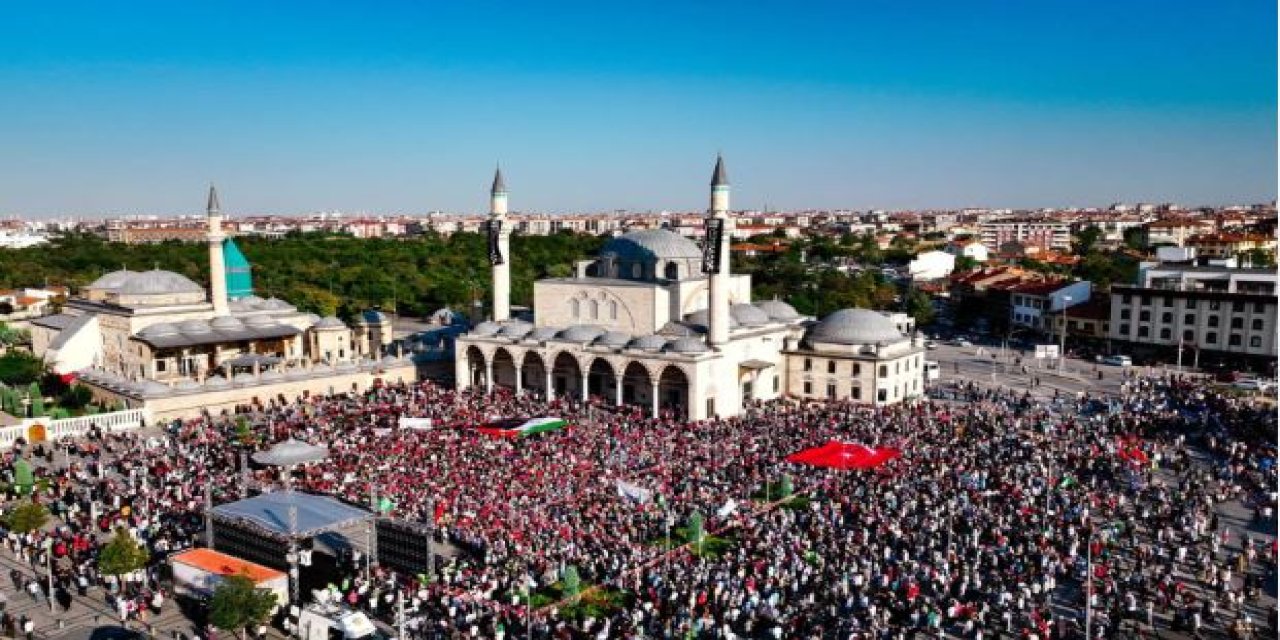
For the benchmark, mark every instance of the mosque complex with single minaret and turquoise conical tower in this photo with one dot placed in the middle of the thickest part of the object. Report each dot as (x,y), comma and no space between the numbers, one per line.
(156,340)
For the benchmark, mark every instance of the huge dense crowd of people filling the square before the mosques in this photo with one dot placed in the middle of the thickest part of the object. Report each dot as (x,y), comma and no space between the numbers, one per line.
(988,525)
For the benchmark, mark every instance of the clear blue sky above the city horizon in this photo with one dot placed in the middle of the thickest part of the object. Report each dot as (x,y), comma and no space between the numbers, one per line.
(405,107)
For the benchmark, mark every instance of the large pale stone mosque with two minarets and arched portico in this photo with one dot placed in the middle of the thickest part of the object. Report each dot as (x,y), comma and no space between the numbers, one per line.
(661,323)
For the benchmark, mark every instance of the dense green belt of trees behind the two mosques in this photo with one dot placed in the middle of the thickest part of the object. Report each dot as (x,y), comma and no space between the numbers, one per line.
(322,273)
